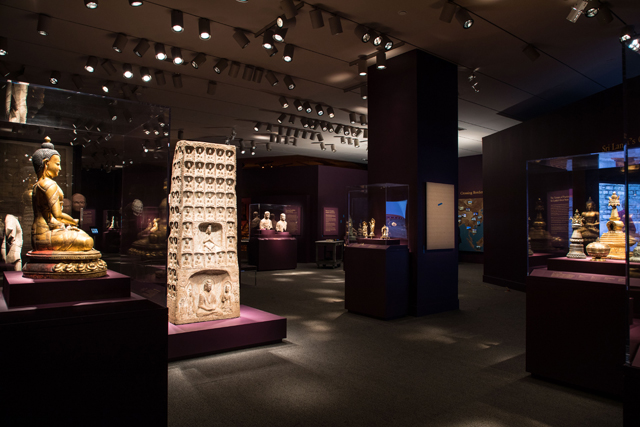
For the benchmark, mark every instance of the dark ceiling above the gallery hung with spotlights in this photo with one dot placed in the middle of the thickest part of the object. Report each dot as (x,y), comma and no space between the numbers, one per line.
(576,59)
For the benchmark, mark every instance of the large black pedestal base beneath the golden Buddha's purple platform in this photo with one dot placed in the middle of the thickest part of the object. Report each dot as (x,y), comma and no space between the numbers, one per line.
(89,363)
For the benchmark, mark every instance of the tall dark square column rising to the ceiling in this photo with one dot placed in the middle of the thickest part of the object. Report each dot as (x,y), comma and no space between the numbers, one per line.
(413,139)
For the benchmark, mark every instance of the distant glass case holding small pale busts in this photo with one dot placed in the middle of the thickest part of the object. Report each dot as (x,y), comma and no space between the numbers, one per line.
(279,218)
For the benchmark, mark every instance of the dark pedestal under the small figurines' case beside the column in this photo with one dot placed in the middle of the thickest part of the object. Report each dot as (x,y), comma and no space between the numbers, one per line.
(377,280)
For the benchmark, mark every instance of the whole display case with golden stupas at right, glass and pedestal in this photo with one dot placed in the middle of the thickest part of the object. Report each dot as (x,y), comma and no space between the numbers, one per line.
(583,284)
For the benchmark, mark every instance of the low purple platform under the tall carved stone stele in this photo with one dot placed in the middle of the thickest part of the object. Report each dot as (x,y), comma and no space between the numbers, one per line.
(253,327)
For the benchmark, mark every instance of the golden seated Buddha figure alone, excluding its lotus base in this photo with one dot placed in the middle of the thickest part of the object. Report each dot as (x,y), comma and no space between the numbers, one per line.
(52,229)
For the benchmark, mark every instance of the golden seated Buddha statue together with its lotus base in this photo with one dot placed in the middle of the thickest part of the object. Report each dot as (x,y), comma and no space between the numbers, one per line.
(59,248)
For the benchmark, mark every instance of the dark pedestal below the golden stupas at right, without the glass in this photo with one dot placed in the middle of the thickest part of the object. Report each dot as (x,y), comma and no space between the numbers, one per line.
(577,328)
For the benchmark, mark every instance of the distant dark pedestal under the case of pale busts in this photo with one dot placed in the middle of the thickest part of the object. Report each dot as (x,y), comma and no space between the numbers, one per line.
(273,253)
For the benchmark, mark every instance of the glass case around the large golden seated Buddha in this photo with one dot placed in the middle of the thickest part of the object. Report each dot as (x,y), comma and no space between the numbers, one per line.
(114,165)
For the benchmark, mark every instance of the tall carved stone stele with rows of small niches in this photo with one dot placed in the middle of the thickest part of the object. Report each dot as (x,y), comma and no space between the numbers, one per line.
(202,263)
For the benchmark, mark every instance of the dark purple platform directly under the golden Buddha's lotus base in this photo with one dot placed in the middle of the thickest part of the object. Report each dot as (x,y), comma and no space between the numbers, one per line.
(23,291)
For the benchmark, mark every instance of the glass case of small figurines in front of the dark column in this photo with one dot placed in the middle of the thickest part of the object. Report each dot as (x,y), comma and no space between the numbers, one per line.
(378,212)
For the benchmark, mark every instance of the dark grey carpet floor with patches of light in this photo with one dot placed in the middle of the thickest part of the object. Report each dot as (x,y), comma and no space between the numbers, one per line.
(461,368)
